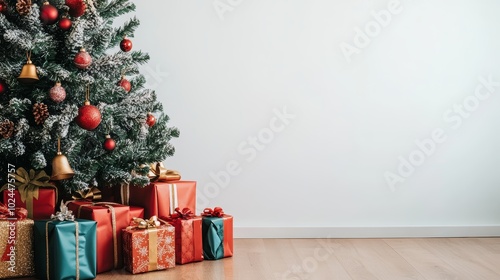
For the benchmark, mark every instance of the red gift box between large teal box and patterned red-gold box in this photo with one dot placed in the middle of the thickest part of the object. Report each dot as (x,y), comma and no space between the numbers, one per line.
(111,218)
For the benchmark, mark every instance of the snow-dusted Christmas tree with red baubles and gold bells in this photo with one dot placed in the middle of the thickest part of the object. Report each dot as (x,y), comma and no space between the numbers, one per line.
(67,73)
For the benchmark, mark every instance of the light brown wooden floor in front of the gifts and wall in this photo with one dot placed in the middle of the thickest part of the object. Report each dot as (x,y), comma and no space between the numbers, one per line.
(257,259)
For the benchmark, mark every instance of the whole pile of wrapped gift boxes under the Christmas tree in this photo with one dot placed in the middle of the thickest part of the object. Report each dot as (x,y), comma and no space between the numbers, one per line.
(139,228)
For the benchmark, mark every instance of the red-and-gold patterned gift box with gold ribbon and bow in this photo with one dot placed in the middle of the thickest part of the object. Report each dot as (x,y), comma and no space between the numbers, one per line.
(149,249)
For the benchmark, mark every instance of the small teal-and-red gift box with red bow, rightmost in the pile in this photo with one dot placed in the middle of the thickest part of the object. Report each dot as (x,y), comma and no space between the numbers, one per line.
(217,234)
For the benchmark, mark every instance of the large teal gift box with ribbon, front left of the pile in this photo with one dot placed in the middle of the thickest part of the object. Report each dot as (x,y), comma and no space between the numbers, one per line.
(65,249)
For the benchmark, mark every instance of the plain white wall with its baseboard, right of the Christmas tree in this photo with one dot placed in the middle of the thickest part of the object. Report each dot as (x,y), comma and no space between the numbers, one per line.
(222,76)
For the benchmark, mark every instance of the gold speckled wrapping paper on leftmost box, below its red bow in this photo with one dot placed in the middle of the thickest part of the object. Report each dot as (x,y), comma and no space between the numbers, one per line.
(22,264)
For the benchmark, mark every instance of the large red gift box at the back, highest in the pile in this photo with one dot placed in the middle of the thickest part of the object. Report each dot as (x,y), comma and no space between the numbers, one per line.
(155,198)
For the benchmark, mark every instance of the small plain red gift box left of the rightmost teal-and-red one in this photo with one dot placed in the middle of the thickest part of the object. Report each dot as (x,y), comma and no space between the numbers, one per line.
(188,237)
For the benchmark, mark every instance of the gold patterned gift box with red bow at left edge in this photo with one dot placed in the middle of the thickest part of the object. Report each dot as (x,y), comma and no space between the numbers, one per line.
(16,244)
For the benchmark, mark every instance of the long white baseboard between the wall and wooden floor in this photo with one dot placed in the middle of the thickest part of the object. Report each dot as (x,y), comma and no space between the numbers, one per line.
(367,232)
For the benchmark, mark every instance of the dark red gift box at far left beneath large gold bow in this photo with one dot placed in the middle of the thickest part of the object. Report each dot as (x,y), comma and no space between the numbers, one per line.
(40,204)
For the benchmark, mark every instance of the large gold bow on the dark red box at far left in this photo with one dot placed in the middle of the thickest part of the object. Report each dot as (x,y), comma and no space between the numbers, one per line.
(28,184)
